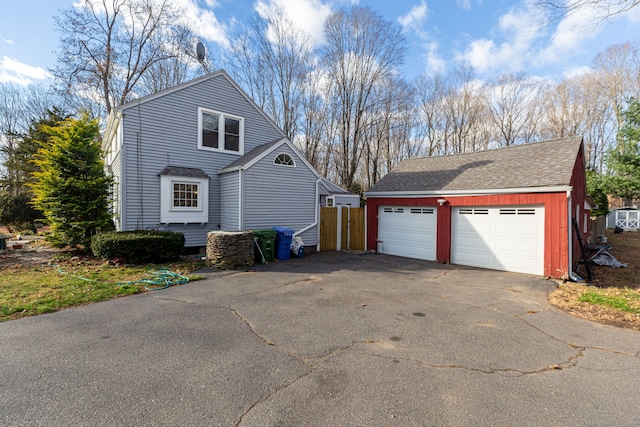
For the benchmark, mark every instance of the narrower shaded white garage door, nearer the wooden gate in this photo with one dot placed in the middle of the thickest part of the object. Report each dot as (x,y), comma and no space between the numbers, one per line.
(407,231)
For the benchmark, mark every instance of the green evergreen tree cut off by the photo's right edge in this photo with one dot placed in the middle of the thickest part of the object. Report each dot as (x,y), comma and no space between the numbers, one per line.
(624,161)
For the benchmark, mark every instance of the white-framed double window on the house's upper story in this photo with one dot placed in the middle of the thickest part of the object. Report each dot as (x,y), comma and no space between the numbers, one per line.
(220,132)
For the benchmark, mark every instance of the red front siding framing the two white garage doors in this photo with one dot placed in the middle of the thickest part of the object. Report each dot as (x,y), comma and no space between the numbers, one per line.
(556,258)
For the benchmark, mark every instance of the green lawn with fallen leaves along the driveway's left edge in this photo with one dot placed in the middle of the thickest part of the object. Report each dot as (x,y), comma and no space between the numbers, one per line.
(27,291)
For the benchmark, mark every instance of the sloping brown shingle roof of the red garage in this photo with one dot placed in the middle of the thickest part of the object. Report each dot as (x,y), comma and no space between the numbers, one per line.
(537,165)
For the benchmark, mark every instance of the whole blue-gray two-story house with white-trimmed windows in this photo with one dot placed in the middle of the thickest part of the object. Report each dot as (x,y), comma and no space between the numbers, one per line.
(202,156)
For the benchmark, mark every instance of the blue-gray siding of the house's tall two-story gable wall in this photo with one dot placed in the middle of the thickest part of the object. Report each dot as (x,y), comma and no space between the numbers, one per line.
(163,131)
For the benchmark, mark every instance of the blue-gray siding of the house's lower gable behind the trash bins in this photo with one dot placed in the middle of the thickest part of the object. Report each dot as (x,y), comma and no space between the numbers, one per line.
(276,195)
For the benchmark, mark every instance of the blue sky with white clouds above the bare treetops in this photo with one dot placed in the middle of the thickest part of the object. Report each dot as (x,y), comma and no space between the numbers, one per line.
(493,36)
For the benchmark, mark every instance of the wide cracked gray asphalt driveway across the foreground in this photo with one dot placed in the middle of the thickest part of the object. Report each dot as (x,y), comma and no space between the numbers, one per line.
(325,340)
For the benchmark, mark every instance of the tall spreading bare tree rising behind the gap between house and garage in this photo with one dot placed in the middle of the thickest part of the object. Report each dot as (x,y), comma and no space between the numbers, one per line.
(361,51)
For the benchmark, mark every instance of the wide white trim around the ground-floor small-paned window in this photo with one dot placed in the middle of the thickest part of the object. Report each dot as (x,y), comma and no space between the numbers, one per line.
(183,215)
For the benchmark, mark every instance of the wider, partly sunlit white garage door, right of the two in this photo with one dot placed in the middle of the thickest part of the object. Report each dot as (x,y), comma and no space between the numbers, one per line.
(499,238)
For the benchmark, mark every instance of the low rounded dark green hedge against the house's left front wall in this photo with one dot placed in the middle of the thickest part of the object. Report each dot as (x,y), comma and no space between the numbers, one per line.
(138,247)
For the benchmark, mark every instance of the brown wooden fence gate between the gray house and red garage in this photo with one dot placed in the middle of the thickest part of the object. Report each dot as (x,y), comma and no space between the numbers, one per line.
(342,228)
